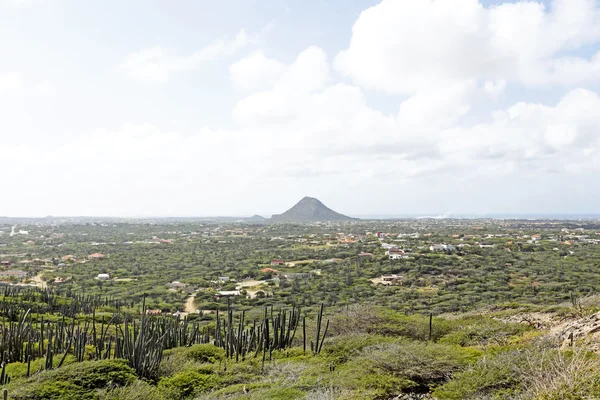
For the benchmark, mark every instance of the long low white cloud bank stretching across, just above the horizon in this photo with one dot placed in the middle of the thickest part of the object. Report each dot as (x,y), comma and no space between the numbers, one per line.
(335,140)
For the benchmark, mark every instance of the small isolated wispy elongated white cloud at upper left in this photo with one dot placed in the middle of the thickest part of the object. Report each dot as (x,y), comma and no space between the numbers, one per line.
(156,64)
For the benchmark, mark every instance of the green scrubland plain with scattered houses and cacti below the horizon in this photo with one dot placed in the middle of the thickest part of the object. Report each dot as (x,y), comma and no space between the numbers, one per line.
(202,309)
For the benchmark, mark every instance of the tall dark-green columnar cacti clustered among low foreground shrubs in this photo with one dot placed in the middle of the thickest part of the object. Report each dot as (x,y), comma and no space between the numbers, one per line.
(26,335)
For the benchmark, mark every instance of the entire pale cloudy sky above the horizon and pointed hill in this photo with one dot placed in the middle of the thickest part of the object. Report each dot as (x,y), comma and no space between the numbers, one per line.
(242,107)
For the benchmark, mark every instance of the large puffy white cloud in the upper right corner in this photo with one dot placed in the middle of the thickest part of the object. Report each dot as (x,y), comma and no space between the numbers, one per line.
(407,46)
